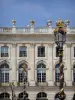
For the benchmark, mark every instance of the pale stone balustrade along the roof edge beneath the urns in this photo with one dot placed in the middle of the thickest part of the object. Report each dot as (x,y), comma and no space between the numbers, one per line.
(24,30)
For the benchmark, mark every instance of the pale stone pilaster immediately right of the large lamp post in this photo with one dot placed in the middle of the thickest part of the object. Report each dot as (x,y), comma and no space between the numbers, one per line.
(68,65)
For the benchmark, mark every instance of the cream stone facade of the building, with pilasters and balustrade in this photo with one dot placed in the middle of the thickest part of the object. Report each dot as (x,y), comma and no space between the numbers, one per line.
(32,38)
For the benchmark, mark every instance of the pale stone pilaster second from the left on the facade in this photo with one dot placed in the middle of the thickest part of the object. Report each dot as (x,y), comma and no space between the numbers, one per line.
(32,64)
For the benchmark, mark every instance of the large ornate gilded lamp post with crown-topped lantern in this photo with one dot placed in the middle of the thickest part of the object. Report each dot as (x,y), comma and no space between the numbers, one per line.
(60,38)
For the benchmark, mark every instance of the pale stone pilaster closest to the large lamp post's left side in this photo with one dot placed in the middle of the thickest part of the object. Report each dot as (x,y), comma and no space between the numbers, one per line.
(50,66)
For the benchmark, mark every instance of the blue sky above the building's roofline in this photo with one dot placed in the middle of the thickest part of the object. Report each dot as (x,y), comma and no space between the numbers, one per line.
(39,10)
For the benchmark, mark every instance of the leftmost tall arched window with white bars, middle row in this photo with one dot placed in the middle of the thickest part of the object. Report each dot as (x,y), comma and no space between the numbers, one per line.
(4,73)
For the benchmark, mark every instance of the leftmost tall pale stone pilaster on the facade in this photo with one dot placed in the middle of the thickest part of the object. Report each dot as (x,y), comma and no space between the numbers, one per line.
(14,63)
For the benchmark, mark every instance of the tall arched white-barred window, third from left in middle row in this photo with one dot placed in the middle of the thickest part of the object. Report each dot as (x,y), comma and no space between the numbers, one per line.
(41,73)
